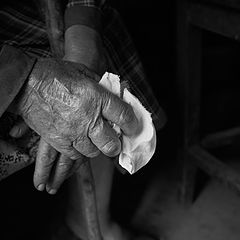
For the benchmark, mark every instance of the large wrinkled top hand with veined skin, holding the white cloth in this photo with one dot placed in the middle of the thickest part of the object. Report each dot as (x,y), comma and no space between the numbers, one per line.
(70,110)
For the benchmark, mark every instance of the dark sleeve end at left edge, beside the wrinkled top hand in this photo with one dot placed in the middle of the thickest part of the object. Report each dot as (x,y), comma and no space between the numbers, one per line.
(15,66)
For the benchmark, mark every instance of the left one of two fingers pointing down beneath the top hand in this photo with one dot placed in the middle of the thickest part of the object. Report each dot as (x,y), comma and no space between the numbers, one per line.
(46,156)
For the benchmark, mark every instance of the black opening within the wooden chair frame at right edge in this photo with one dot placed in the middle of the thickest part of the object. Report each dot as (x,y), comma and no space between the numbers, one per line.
(220,83)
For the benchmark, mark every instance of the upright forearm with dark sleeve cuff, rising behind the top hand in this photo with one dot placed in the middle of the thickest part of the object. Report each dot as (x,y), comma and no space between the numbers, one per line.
(83,35)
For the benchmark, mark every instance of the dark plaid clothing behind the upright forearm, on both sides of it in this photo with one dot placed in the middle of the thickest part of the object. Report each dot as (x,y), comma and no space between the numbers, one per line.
(21,26)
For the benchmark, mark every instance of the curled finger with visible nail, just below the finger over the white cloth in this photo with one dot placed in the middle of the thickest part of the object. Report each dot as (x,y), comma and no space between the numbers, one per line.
(105,138)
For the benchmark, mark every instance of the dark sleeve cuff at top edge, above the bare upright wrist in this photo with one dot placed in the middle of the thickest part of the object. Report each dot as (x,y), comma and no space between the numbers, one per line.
(84,12)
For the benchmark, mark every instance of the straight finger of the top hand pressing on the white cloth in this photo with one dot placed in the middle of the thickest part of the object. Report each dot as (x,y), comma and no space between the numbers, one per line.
(120,113)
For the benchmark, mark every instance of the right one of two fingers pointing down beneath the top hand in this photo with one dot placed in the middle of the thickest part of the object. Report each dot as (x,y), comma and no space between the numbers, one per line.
(64,168)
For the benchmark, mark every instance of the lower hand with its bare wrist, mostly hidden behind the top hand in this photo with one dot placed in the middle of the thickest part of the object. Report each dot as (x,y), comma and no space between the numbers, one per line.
(52,168)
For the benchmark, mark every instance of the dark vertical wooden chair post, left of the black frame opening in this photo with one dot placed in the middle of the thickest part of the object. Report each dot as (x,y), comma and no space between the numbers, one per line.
(189,85)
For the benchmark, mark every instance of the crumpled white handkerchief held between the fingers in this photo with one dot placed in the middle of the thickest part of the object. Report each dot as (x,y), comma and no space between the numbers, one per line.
(139,149)
